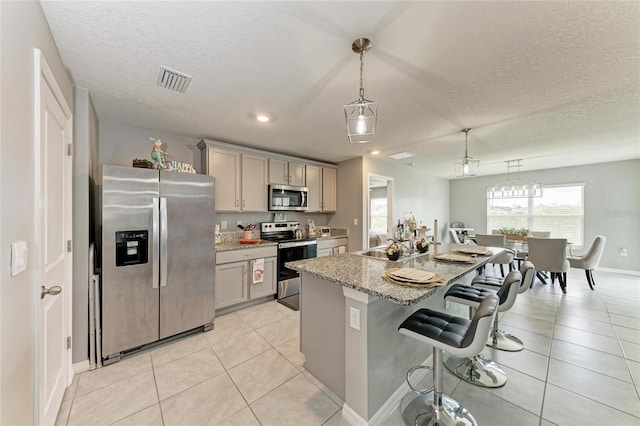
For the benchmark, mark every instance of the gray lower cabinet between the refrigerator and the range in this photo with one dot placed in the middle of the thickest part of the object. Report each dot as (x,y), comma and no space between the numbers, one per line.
(234,275)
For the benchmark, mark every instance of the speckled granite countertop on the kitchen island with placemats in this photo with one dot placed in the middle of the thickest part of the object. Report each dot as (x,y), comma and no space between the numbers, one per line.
(365,274)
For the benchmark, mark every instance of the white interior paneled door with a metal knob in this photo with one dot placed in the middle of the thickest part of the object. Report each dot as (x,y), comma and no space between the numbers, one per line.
(53,232)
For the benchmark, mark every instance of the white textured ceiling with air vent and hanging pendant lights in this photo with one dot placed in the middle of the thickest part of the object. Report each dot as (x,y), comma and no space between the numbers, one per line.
(555,83)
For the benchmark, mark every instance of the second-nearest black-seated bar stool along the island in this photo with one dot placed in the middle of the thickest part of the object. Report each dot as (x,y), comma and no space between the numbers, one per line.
(479,370)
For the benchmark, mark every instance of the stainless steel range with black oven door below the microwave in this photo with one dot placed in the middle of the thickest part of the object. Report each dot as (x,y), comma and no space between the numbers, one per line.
(290,248)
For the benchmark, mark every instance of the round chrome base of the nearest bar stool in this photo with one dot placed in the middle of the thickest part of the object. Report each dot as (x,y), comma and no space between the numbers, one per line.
(419,411)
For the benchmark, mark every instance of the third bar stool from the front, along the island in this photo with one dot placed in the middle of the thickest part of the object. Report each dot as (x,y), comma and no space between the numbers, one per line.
(500,339)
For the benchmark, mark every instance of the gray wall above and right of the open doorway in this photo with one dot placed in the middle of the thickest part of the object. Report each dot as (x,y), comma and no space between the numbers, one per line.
(427,197)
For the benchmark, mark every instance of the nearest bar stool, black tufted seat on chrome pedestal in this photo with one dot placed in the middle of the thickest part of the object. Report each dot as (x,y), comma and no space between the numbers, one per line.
(445,333)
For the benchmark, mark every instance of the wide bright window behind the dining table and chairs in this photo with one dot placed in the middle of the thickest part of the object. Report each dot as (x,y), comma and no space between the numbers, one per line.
(560,210)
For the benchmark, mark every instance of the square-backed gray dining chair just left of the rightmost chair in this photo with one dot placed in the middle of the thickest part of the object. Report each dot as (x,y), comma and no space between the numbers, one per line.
(550,255)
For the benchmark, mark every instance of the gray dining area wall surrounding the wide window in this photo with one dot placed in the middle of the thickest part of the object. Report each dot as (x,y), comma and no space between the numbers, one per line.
(611,205)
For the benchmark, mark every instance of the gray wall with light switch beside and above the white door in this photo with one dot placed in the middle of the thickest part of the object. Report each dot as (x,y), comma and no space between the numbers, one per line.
(22,28)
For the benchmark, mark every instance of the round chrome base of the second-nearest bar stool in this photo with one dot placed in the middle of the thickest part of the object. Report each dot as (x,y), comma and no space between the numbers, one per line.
(476,370)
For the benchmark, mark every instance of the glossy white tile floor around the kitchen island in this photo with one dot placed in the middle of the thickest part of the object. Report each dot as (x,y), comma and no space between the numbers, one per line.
(581,366)
